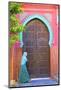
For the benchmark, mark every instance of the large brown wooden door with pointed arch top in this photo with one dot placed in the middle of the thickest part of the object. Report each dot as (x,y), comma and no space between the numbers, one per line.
(36,43)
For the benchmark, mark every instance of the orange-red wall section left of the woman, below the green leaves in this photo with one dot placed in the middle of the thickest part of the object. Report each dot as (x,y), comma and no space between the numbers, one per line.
(15,60)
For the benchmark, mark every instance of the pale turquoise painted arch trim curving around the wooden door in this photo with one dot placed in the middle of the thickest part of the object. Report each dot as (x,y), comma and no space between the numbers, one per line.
(43,19)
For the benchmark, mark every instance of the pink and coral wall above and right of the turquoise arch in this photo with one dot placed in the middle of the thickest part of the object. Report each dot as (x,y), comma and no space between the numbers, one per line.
(50,13)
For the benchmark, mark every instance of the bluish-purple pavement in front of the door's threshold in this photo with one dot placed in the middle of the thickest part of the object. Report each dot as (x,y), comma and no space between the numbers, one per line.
(42,81)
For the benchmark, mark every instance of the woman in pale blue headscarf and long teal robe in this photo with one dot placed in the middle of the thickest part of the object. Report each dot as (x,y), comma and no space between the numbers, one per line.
(23,74)
